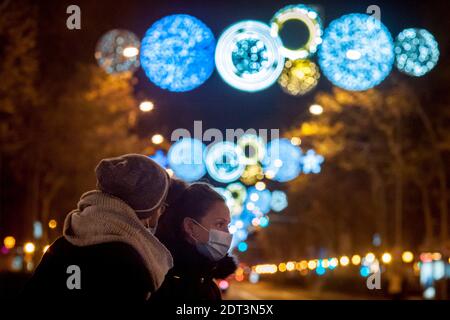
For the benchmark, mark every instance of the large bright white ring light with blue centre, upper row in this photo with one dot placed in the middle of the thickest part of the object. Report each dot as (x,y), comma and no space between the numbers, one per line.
(248,57)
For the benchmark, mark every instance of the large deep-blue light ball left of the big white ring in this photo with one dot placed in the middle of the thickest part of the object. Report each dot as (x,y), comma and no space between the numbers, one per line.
(177,53)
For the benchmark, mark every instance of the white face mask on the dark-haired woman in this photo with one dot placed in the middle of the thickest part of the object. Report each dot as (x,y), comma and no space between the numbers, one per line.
(217,246)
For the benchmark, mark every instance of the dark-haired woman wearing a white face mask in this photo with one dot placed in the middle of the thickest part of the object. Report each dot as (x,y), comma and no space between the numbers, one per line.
(195,230)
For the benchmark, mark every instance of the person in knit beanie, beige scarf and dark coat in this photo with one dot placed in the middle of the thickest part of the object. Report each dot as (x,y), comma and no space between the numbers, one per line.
(108,251)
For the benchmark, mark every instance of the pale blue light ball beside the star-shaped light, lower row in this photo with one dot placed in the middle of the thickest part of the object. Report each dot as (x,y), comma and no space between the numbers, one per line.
(283,159)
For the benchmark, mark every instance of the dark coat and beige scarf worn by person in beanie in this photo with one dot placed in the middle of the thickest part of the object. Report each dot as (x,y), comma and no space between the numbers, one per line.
(118,259)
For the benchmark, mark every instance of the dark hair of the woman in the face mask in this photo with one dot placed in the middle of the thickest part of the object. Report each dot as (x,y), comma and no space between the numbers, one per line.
(184,201)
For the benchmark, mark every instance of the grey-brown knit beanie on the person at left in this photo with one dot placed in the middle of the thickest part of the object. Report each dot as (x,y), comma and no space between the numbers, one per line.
(135,179)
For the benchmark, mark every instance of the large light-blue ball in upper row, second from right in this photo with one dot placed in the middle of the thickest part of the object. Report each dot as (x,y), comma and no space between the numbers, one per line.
(357,52)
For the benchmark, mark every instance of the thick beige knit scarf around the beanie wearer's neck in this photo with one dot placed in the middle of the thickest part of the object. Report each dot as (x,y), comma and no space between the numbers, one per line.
(102,218)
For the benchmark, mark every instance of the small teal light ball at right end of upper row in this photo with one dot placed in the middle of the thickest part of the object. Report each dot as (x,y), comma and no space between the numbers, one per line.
(416,52)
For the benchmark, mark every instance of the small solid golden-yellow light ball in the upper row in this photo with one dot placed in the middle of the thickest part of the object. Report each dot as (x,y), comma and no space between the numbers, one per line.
(299,77)
